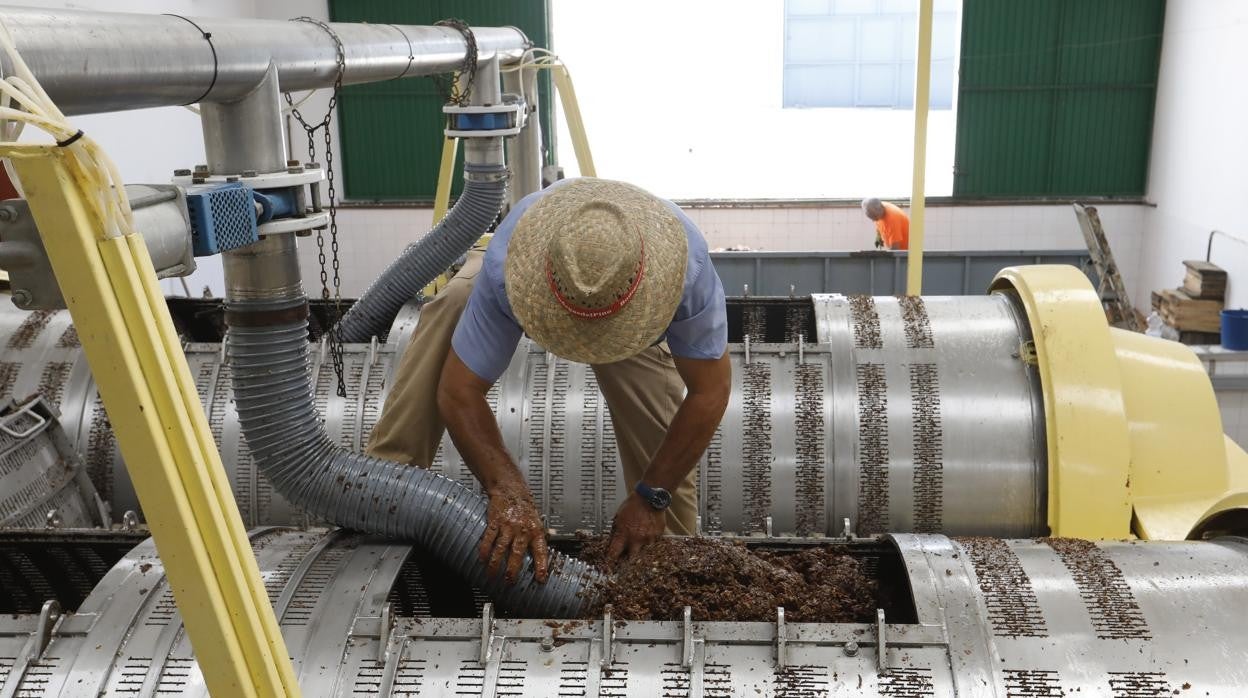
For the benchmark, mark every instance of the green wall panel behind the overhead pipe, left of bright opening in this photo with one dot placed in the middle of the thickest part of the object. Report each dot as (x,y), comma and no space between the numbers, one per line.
(391,132)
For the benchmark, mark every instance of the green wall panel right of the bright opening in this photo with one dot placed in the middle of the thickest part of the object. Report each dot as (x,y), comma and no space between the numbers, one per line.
(1056,98)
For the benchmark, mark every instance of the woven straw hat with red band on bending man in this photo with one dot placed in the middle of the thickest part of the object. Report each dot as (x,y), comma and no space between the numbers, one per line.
(596,270)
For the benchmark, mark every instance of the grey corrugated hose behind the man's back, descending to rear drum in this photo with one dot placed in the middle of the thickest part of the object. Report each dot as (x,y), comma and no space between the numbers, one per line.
(424,260)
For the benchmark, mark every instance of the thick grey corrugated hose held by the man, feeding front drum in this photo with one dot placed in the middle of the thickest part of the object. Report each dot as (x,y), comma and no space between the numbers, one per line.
(269,356)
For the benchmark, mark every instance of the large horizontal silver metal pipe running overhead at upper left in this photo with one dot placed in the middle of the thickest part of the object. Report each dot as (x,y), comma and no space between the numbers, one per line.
(97,62)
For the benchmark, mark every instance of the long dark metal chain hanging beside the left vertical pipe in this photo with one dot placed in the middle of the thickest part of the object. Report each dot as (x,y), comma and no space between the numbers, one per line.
(311,129)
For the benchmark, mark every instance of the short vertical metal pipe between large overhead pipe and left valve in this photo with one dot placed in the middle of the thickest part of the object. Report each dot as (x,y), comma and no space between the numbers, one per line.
(248,134)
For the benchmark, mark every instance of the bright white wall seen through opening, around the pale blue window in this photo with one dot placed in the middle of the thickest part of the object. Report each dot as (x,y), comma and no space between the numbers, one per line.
(685,99)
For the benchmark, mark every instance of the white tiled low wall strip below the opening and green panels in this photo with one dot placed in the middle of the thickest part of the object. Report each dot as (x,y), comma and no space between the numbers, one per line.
(371,238)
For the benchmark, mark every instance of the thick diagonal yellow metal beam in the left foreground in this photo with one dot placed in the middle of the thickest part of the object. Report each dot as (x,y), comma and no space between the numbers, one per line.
(129,339)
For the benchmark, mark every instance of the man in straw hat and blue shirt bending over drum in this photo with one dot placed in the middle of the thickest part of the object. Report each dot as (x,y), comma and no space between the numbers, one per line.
(600,273)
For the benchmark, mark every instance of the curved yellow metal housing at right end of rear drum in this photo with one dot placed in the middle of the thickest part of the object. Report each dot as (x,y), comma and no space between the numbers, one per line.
(1133,426)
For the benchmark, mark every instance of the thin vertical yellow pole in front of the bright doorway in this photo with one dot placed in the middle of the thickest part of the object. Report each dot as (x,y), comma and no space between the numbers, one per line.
(918,202)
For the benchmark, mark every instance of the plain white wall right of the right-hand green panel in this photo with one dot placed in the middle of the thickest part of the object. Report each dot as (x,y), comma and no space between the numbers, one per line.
(1199,177)
